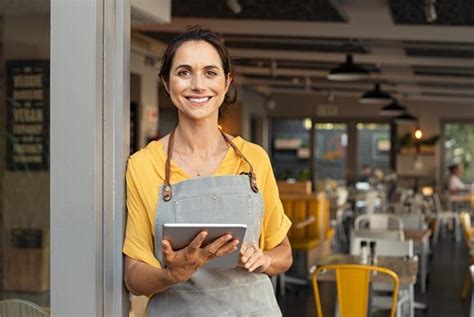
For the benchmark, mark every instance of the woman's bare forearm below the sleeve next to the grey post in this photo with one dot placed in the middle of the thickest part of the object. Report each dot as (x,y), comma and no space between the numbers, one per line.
(144,279)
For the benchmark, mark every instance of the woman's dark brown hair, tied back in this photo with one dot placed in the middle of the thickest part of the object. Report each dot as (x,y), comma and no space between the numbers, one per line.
(198,33)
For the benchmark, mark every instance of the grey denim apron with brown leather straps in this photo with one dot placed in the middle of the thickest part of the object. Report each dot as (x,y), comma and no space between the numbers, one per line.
(213,292)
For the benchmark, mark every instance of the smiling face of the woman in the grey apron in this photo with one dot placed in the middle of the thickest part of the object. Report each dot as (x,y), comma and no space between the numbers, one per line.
(197,83)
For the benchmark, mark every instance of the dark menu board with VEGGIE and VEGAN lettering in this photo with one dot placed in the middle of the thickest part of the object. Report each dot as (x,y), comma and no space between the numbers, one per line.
(27,117)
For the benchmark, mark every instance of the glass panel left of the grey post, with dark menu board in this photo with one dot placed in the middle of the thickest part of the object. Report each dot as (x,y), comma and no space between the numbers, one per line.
(24,149)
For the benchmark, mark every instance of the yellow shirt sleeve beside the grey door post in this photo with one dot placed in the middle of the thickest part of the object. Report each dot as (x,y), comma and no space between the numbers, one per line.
(138,242)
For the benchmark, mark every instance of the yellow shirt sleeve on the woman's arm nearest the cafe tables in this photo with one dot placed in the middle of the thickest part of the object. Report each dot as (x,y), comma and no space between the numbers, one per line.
(275,223)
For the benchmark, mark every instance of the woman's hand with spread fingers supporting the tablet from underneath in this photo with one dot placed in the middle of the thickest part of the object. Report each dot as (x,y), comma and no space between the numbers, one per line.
(182,264)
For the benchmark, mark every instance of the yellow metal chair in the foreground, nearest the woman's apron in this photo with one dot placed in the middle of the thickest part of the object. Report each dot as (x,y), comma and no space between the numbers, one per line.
(352,282)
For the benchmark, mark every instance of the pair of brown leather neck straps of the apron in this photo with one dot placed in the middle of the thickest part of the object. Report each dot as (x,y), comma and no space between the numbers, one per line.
(167,190)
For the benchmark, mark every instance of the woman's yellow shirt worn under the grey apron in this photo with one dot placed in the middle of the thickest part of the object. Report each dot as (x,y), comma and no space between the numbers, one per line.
(146,173)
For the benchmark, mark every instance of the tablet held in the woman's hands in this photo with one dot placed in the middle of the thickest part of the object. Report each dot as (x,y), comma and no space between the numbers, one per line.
(181,234)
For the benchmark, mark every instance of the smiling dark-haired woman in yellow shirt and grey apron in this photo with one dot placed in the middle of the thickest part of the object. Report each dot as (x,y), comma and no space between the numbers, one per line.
(223,179)
